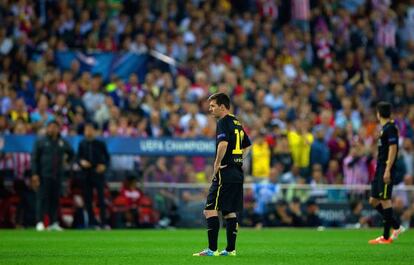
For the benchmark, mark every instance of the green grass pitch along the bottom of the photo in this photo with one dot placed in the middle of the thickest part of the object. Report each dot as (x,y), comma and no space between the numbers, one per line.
(147,247)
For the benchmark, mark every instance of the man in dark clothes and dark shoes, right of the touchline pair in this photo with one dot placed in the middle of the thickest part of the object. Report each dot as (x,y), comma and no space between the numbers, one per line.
(93,158)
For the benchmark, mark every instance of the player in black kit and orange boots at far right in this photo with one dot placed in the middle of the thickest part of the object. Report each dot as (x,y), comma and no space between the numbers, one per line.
(381,186)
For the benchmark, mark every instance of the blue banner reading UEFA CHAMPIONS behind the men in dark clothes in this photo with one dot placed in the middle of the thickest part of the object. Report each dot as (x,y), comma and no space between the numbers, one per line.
(124,145)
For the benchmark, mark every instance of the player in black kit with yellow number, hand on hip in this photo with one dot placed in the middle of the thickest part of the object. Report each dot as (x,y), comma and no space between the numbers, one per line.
(226,191)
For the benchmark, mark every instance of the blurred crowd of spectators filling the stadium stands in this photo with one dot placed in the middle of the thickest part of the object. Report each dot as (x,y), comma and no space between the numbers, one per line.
(304,77)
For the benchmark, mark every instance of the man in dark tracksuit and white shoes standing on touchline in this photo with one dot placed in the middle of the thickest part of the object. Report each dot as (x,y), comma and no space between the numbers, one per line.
(48,157)
